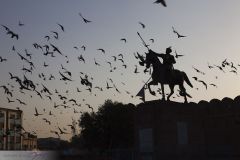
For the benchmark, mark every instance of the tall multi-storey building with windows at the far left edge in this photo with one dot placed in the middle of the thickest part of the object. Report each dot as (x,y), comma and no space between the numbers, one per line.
(10,133)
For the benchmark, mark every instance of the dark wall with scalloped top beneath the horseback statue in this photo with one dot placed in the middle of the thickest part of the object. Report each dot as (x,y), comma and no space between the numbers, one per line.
(172,130)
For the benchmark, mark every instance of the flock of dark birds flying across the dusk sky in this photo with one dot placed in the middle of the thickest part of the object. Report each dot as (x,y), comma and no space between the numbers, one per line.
(60,101)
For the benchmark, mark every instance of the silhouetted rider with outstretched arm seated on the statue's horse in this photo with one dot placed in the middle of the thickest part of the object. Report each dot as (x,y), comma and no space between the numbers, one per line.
(168,61)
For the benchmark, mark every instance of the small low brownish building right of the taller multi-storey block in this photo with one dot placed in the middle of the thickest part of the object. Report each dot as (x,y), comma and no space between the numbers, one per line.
(29,141)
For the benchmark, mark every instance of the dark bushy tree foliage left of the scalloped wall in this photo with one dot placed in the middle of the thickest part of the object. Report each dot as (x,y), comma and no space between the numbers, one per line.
(112,126)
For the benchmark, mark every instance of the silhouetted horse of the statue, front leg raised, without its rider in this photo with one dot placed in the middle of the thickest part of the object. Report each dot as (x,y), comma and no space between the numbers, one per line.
(159,75)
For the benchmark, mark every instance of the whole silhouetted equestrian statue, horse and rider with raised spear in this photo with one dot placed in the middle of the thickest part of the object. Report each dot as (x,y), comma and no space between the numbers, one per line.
(164,73)
